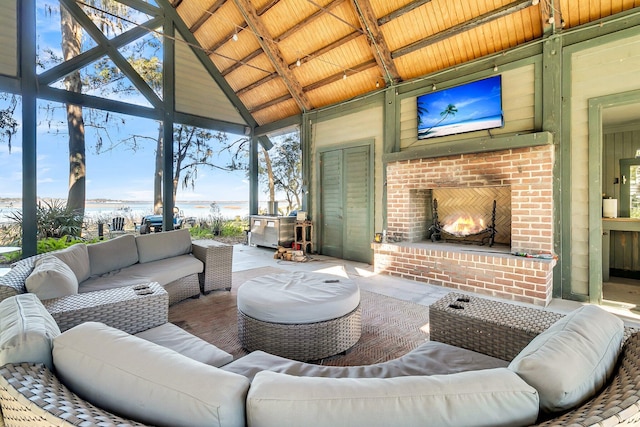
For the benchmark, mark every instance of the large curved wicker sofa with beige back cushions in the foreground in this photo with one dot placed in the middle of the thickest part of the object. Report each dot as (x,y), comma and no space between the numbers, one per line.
(265,390)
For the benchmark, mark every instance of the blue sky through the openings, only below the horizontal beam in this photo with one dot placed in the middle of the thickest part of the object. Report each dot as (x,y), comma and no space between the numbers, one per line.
(120,174)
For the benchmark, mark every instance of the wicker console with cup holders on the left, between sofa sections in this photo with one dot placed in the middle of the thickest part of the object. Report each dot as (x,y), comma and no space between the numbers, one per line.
(131,309)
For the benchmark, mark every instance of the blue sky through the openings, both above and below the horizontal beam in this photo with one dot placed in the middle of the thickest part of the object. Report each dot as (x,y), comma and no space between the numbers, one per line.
(120,174)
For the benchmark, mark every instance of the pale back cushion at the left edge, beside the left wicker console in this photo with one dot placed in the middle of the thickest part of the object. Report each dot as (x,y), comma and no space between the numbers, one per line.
(26,331)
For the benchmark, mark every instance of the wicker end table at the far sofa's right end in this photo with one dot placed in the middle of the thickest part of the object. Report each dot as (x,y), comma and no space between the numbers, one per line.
(218,261)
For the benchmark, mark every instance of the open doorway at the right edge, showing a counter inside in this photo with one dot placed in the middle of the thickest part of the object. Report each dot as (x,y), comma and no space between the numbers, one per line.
(618,136)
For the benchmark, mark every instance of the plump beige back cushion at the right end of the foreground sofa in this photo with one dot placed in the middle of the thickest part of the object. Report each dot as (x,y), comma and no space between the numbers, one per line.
(572,360)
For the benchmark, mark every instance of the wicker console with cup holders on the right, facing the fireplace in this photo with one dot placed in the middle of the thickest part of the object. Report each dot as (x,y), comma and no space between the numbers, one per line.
(496,328)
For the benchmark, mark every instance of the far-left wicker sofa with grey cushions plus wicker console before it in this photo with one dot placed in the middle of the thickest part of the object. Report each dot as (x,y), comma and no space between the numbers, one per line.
(114,277)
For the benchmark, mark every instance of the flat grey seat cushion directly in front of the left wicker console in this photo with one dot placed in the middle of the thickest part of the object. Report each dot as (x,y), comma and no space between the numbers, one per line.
(174,337)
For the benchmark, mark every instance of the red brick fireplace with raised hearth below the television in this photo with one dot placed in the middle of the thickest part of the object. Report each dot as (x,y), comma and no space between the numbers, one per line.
(526,173)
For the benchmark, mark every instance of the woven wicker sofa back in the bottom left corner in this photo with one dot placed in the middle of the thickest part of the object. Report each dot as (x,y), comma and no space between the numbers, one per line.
(32,396)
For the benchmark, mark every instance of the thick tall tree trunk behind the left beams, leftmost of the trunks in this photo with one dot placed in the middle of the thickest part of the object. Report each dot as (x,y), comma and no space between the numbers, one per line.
(71,47)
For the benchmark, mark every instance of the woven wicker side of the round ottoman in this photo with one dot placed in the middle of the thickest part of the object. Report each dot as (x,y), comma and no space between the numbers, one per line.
(303,341)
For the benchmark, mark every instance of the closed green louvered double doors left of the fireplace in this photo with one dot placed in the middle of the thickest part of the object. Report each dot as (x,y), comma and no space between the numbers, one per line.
(346,202)
